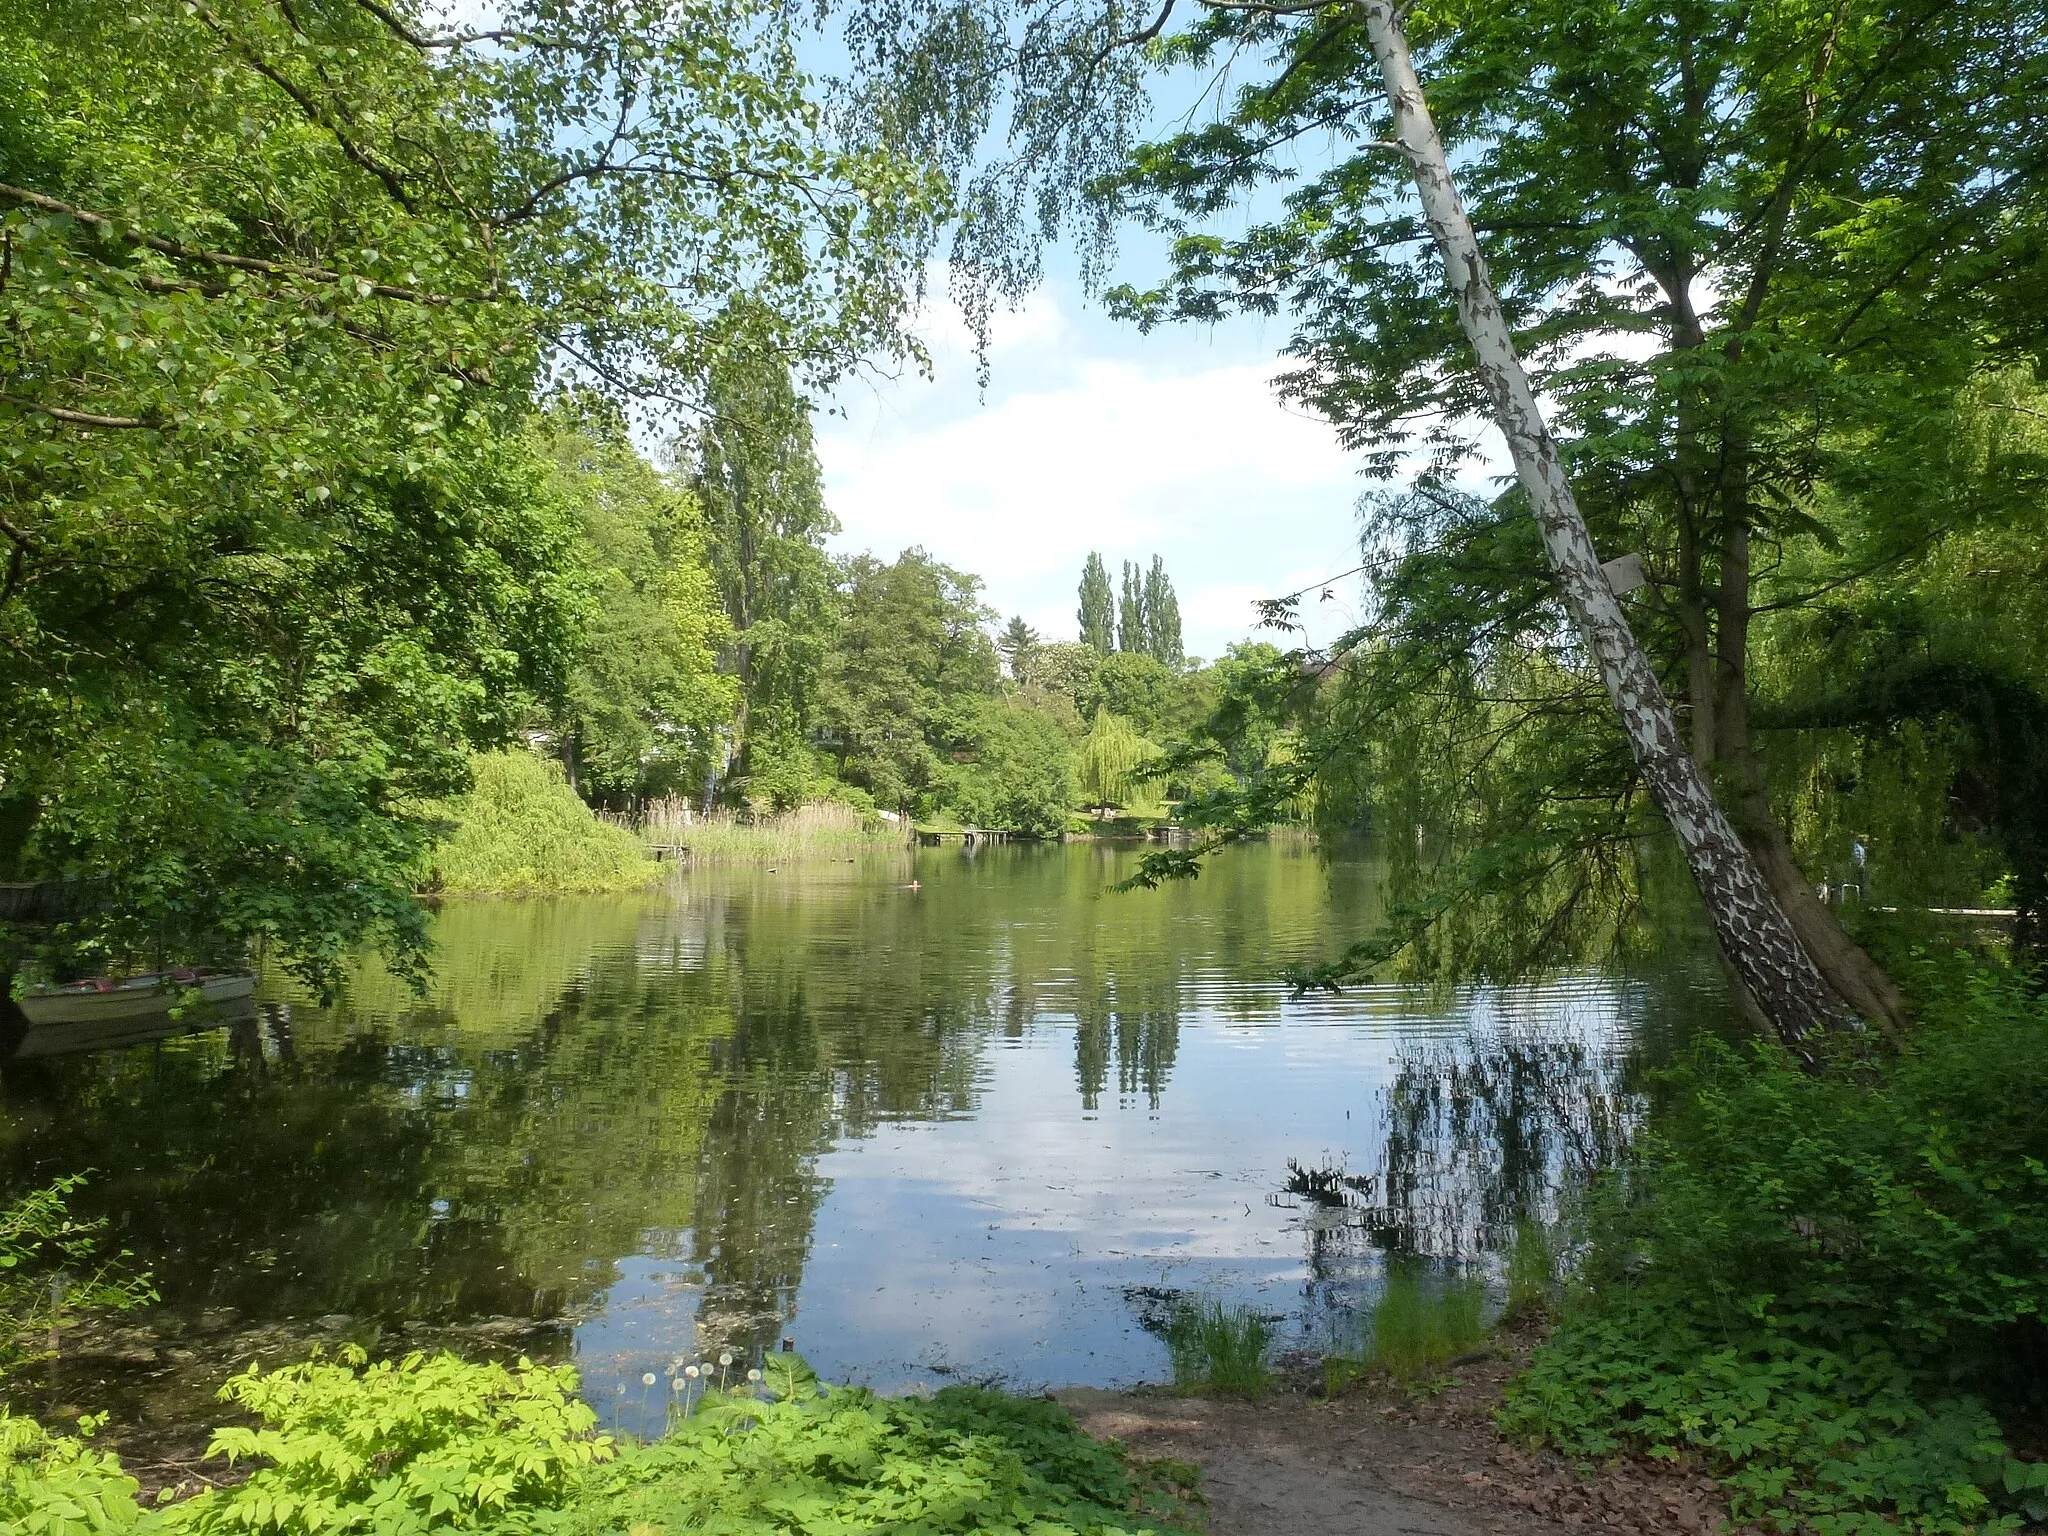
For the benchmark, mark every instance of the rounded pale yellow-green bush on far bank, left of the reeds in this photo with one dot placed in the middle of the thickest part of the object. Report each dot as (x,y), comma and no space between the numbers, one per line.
(521,828)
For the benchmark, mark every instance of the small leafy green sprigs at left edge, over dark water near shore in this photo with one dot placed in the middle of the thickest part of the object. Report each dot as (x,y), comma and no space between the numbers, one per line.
(52,1275)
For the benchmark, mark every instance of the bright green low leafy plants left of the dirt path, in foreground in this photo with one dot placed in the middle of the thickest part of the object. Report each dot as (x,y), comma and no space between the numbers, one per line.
(437,1445)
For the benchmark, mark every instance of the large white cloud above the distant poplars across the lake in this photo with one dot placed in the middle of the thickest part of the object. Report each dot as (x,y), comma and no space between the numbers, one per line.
(1095,439)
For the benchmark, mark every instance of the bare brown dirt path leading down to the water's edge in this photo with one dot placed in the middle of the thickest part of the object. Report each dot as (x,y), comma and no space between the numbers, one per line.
(1379,1461)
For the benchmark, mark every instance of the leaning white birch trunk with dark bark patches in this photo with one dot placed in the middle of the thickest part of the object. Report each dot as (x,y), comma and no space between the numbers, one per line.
(1779,976)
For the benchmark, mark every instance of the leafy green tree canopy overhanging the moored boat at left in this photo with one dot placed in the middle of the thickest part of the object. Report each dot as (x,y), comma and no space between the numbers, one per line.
(282,288)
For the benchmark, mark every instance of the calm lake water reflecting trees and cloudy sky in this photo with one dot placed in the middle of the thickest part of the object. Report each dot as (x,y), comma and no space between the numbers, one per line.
(978,1127)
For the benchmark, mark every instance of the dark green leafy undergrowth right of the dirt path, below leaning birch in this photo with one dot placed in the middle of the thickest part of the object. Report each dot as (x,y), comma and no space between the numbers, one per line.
(1828,1289)
